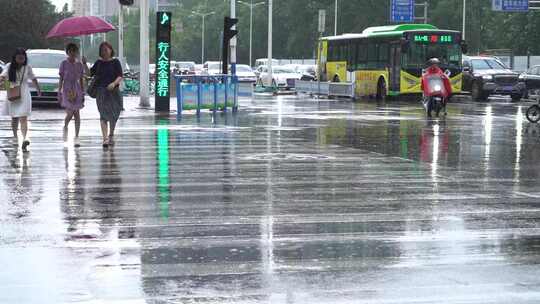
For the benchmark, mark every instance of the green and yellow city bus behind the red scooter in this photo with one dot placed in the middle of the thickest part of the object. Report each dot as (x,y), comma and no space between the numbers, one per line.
(388,60)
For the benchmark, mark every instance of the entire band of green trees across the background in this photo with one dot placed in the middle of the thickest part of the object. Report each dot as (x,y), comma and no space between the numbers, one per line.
(295,26)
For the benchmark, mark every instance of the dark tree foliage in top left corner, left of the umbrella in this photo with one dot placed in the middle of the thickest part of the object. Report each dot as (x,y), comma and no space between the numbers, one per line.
(25,23)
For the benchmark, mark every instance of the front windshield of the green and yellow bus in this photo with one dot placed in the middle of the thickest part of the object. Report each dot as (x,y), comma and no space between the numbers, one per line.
(419,54)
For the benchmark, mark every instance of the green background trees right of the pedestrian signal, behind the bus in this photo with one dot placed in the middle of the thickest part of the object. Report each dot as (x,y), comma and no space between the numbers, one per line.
(295,26)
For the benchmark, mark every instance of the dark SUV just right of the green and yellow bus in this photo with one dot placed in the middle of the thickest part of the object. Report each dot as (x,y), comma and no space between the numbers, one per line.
(484,76)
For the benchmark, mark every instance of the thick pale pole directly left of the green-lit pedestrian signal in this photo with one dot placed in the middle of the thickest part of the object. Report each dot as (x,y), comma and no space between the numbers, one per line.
(144,61)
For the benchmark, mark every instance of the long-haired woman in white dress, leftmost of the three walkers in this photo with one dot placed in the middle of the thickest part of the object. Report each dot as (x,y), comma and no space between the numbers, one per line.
(19,101)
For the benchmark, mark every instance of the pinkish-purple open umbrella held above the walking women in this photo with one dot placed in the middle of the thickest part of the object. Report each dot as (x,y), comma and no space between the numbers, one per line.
(78,26)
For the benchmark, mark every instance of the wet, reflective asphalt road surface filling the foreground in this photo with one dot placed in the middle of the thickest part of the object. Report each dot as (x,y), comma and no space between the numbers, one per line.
(288,201)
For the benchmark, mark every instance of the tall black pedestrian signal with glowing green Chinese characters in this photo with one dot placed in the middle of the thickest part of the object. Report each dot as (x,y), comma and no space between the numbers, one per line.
(163,62)
